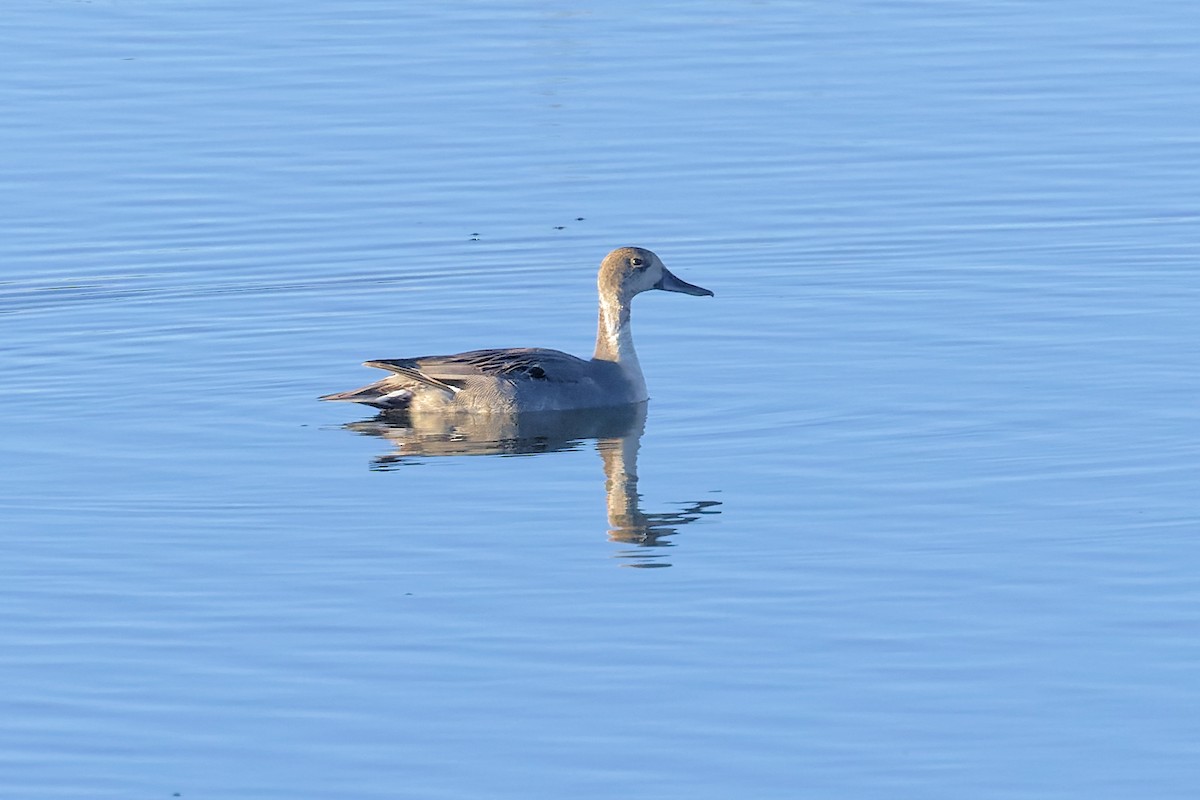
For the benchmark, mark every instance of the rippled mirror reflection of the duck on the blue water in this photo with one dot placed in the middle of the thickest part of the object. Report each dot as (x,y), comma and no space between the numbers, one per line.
(619,437)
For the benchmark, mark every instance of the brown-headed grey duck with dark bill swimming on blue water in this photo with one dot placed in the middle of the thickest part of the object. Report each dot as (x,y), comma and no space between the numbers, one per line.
(508,381)
